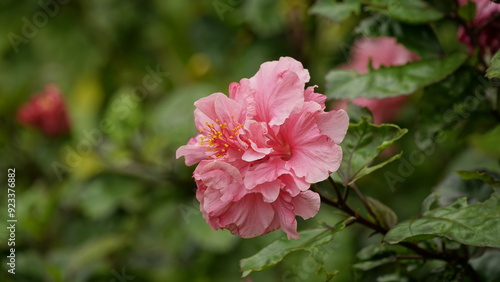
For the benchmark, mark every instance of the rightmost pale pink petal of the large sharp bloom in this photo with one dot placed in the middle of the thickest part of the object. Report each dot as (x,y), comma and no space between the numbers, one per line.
(333,124)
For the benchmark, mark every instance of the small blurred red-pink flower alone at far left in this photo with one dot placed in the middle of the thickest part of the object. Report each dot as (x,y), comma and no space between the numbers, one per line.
(46,111)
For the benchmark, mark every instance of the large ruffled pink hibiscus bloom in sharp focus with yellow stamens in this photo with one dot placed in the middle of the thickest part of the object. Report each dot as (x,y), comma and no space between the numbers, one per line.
(261,148)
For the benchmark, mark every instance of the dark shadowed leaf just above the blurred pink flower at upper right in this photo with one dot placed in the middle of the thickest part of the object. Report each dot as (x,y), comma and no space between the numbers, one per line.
(420,39)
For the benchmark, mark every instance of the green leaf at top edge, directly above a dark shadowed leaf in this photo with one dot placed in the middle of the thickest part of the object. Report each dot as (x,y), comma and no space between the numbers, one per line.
(414,11)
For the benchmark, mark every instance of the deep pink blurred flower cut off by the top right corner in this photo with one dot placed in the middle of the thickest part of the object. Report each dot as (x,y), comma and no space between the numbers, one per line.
(487,25)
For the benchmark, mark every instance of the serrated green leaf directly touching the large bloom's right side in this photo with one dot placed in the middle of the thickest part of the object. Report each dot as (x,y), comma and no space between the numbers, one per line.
(362,144)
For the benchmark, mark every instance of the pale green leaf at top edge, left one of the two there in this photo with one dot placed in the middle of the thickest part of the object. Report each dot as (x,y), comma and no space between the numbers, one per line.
(336,11)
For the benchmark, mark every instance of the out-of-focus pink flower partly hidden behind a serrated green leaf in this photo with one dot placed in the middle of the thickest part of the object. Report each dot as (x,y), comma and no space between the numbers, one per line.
(381,51)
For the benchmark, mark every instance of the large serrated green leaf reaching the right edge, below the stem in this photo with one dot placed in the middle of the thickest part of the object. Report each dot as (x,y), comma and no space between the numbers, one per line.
(476,225)
